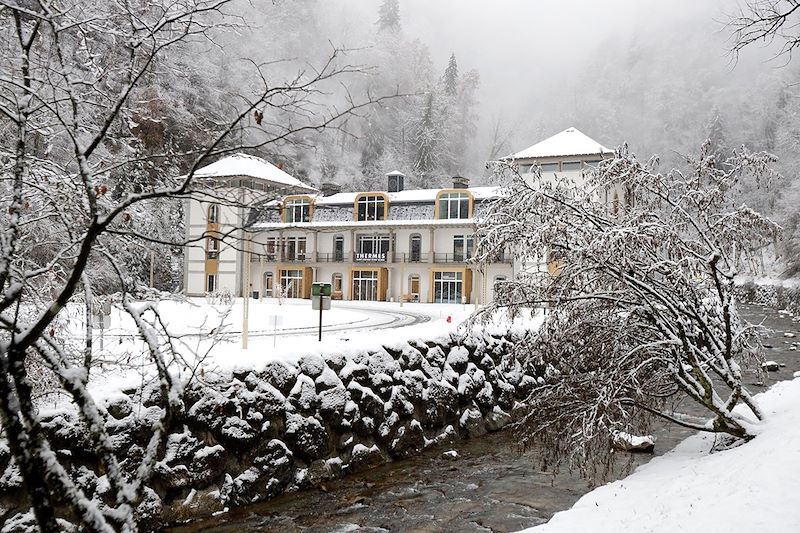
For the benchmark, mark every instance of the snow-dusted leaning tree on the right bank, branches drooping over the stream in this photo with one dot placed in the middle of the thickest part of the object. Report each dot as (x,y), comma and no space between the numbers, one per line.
(639,286)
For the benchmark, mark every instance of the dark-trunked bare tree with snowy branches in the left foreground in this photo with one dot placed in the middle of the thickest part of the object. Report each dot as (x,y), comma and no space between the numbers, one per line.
(70,74)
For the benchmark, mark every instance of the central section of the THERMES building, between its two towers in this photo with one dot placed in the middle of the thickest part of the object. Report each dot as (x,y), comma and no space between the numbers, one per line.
(393,245)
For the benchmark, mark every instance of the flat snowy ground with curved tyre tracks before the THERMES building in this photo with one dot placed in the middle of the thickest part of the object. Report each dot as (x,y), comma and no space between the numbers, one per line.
(209,336)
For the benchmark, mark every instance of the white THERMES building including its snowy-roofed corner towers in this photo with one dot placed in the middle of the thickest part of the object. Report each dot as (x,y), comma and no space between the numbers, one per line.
(392,245)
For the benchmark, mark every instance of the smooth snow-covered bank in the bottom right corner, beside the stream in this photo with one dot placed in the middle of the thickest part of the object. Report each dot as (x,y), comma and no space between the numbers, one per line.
(752,488)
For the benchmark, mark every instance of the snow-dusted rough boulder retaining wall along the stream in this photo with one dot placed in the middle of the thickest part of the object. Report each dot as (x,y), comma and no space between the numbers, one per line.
(252,435)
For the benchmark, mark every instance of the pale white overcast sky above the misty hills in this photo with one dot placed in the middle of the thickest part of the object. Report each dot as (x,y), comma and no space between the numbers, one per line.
(525,47)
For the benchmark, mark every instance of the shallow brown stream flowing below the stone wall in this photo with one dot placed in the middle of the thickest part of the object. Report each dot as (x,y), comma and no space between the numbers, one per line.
(491,486)
